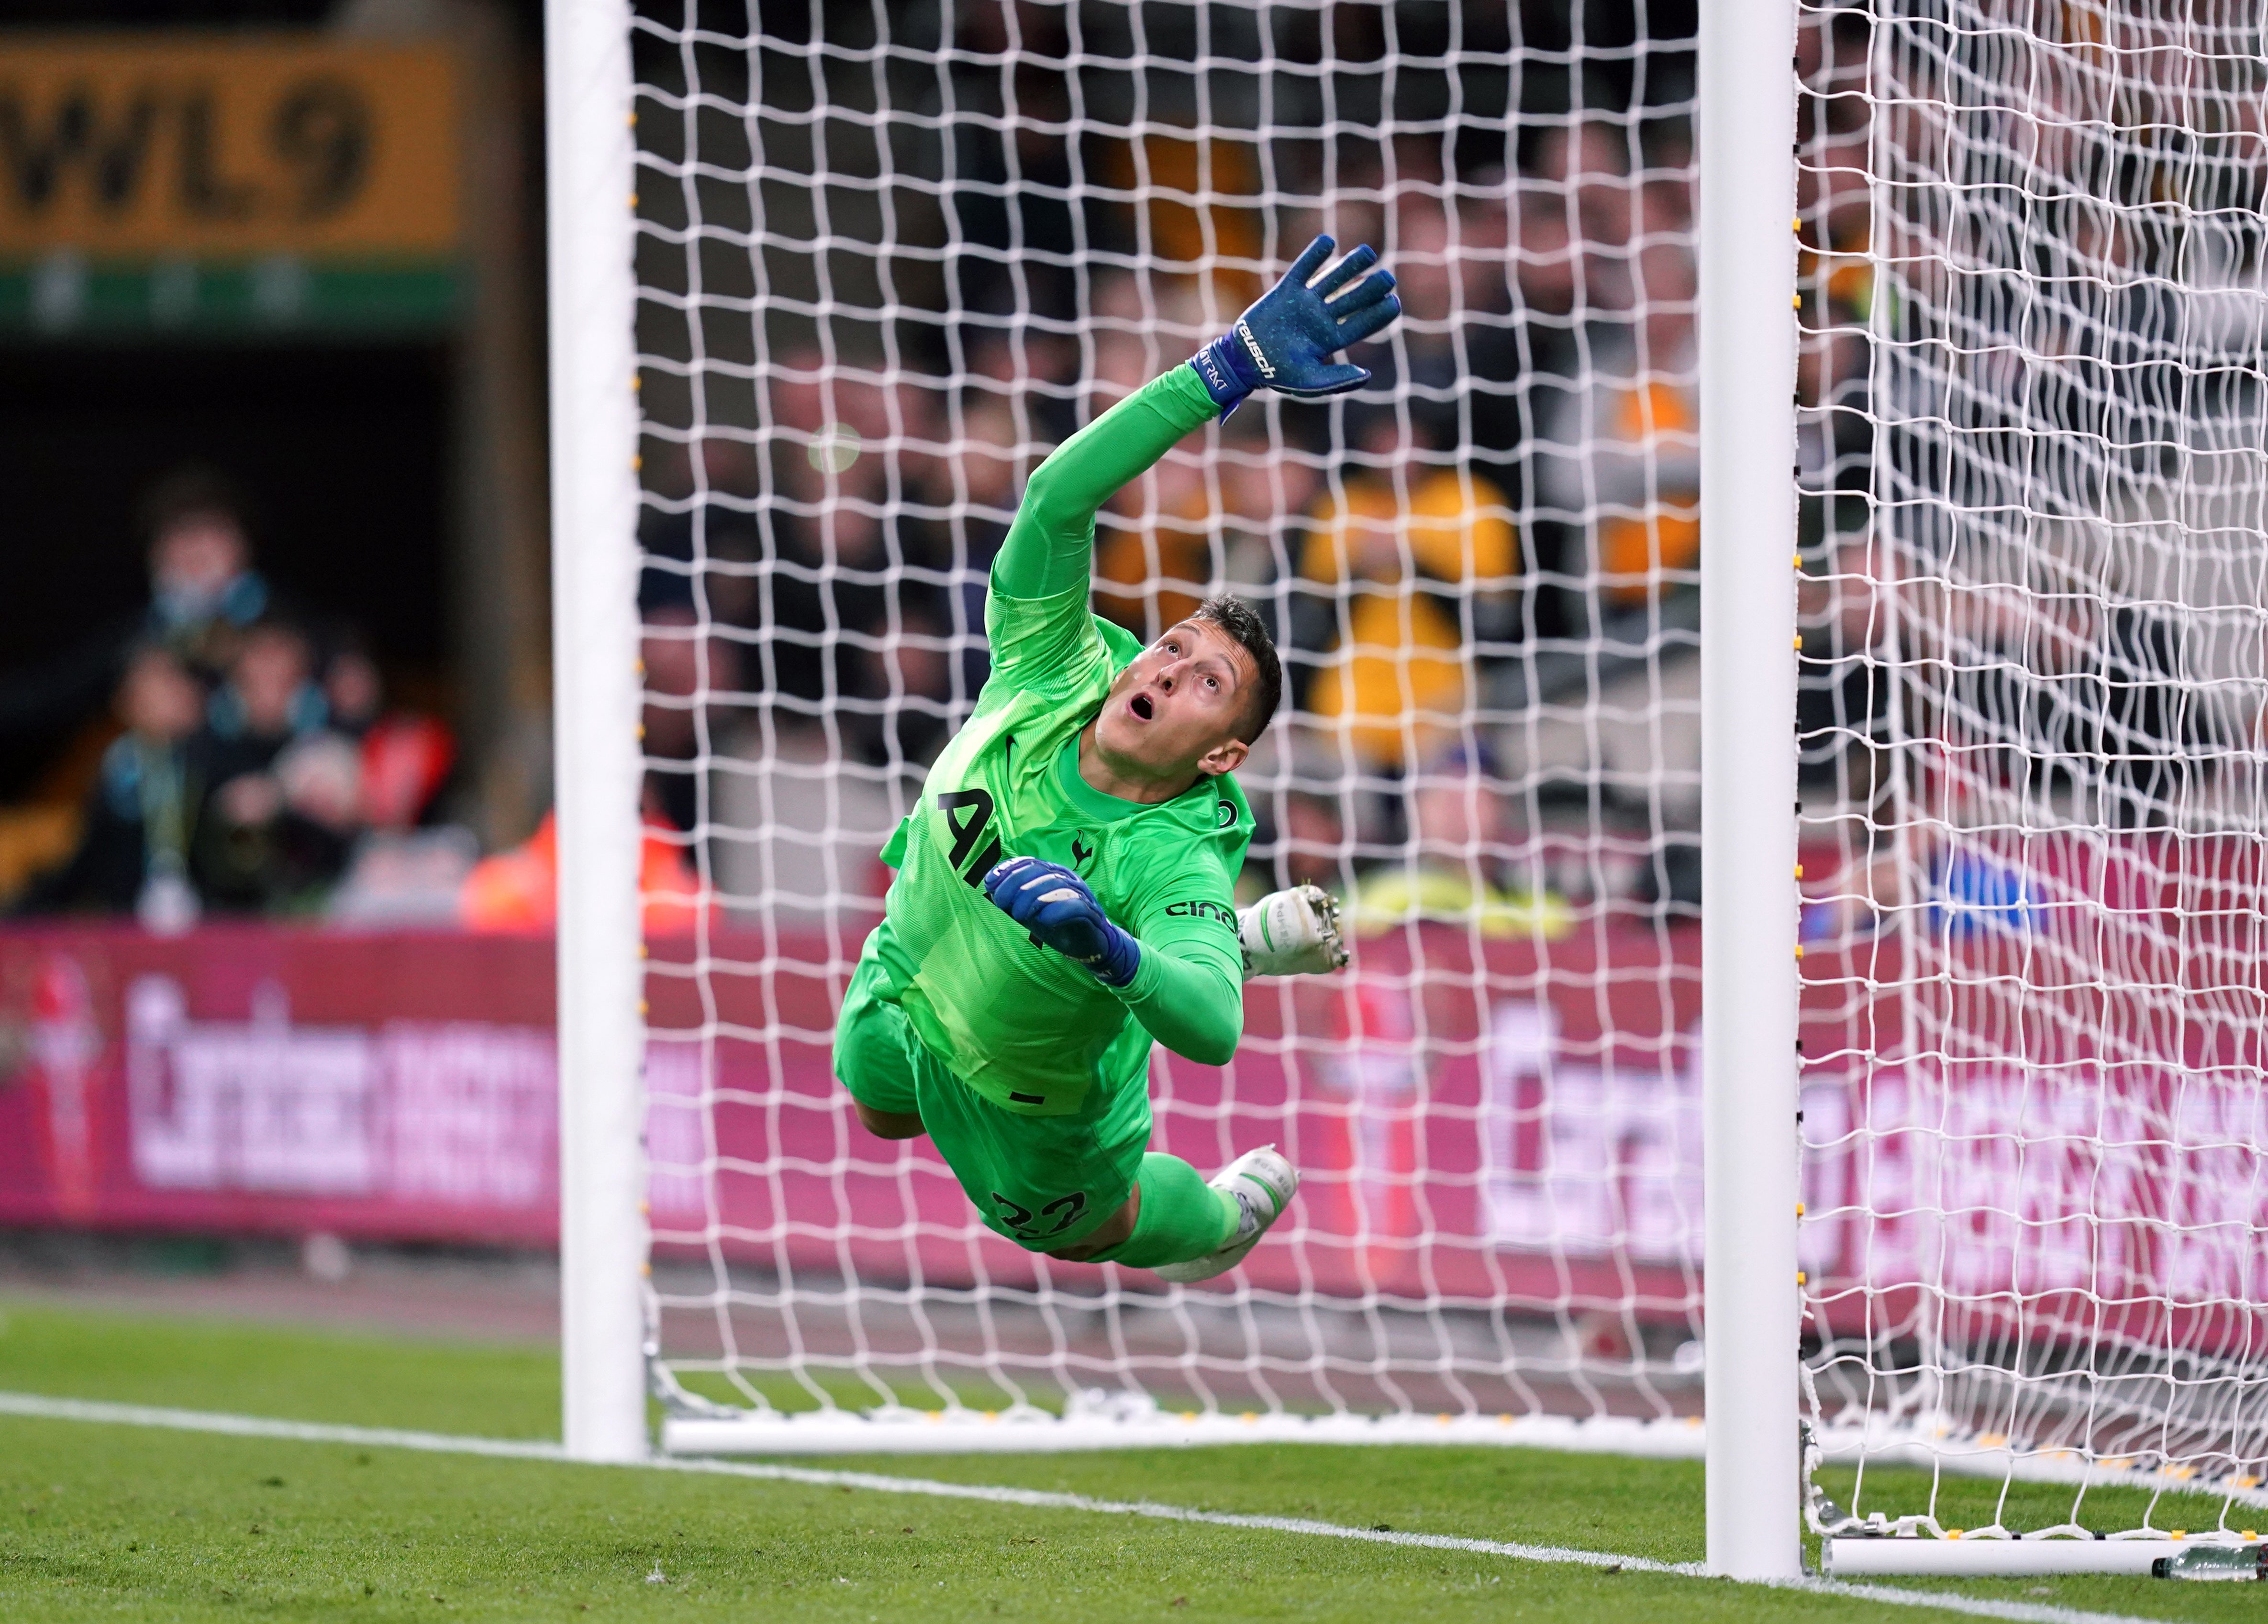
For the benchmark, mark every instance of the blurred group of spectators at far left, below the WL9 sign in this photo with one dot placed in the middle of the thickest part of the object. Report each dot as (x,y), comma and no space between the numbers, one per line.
(237,752)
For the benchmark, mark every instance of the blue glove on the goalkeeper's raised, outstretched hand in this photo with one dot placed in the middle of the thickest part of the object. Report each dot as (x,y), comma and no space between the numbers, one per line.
(1287,341)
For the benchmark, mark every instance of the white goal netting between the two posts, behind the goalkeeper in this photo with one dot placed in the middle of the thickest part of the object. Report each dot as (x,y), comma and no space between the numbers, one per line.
(888,257)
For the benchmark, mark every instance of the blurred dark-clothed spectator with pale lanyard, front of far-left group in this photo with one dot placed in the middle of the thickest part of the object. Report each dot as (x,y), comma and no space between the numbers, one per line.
(142,818)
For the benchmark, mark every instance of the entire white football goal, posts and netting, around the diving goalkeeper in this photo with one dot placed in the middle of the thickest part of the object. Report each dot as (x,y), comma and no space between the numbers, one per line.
(1893,584)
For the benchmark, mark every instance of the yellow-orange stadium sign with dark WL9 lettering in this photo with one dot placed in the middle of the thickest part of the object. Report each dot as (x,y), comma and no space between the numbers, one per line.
(198,146)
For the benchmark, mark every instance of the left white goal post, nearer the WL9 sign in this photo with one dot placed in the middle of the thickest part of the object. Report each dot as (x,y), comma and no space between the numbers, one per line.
(595,682)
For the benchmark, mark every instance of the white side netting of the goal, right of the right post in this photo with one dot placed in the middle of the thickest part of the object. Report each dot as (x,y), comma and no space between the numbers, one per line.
(2036,865)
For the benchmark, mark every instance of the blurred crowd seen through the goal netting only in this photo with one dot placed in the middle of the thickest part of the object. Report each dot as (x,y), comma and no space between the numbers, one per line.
(1482,568)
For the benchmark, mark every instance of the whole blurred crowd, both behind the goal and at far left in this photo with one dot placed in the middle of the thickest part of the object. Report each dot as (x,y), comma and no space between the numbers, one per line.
(1482,568)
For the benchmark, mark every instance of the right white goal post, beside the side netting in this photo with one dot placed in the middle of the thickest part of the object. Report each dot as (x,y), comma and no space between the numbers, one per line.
(1747,779)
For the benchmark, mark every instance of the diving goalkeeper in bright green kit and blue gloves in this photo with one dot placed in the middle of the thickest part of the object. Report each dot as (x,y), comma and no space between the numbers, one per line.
(1065,886)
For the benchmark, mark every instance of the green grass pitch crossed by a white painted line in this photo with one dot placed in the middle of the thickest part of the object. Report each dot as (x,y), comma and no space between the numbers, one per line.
(126,1523)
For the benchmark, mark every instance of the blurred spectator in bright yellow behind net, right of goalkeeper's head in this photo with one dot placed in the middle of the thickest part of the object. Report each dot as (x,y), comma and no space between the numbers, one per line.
(1389,573)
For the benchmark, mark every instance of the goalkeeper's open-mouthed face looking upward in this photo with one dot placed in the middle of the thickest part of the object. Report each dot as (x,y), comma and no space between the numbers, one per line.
(1180,707)
